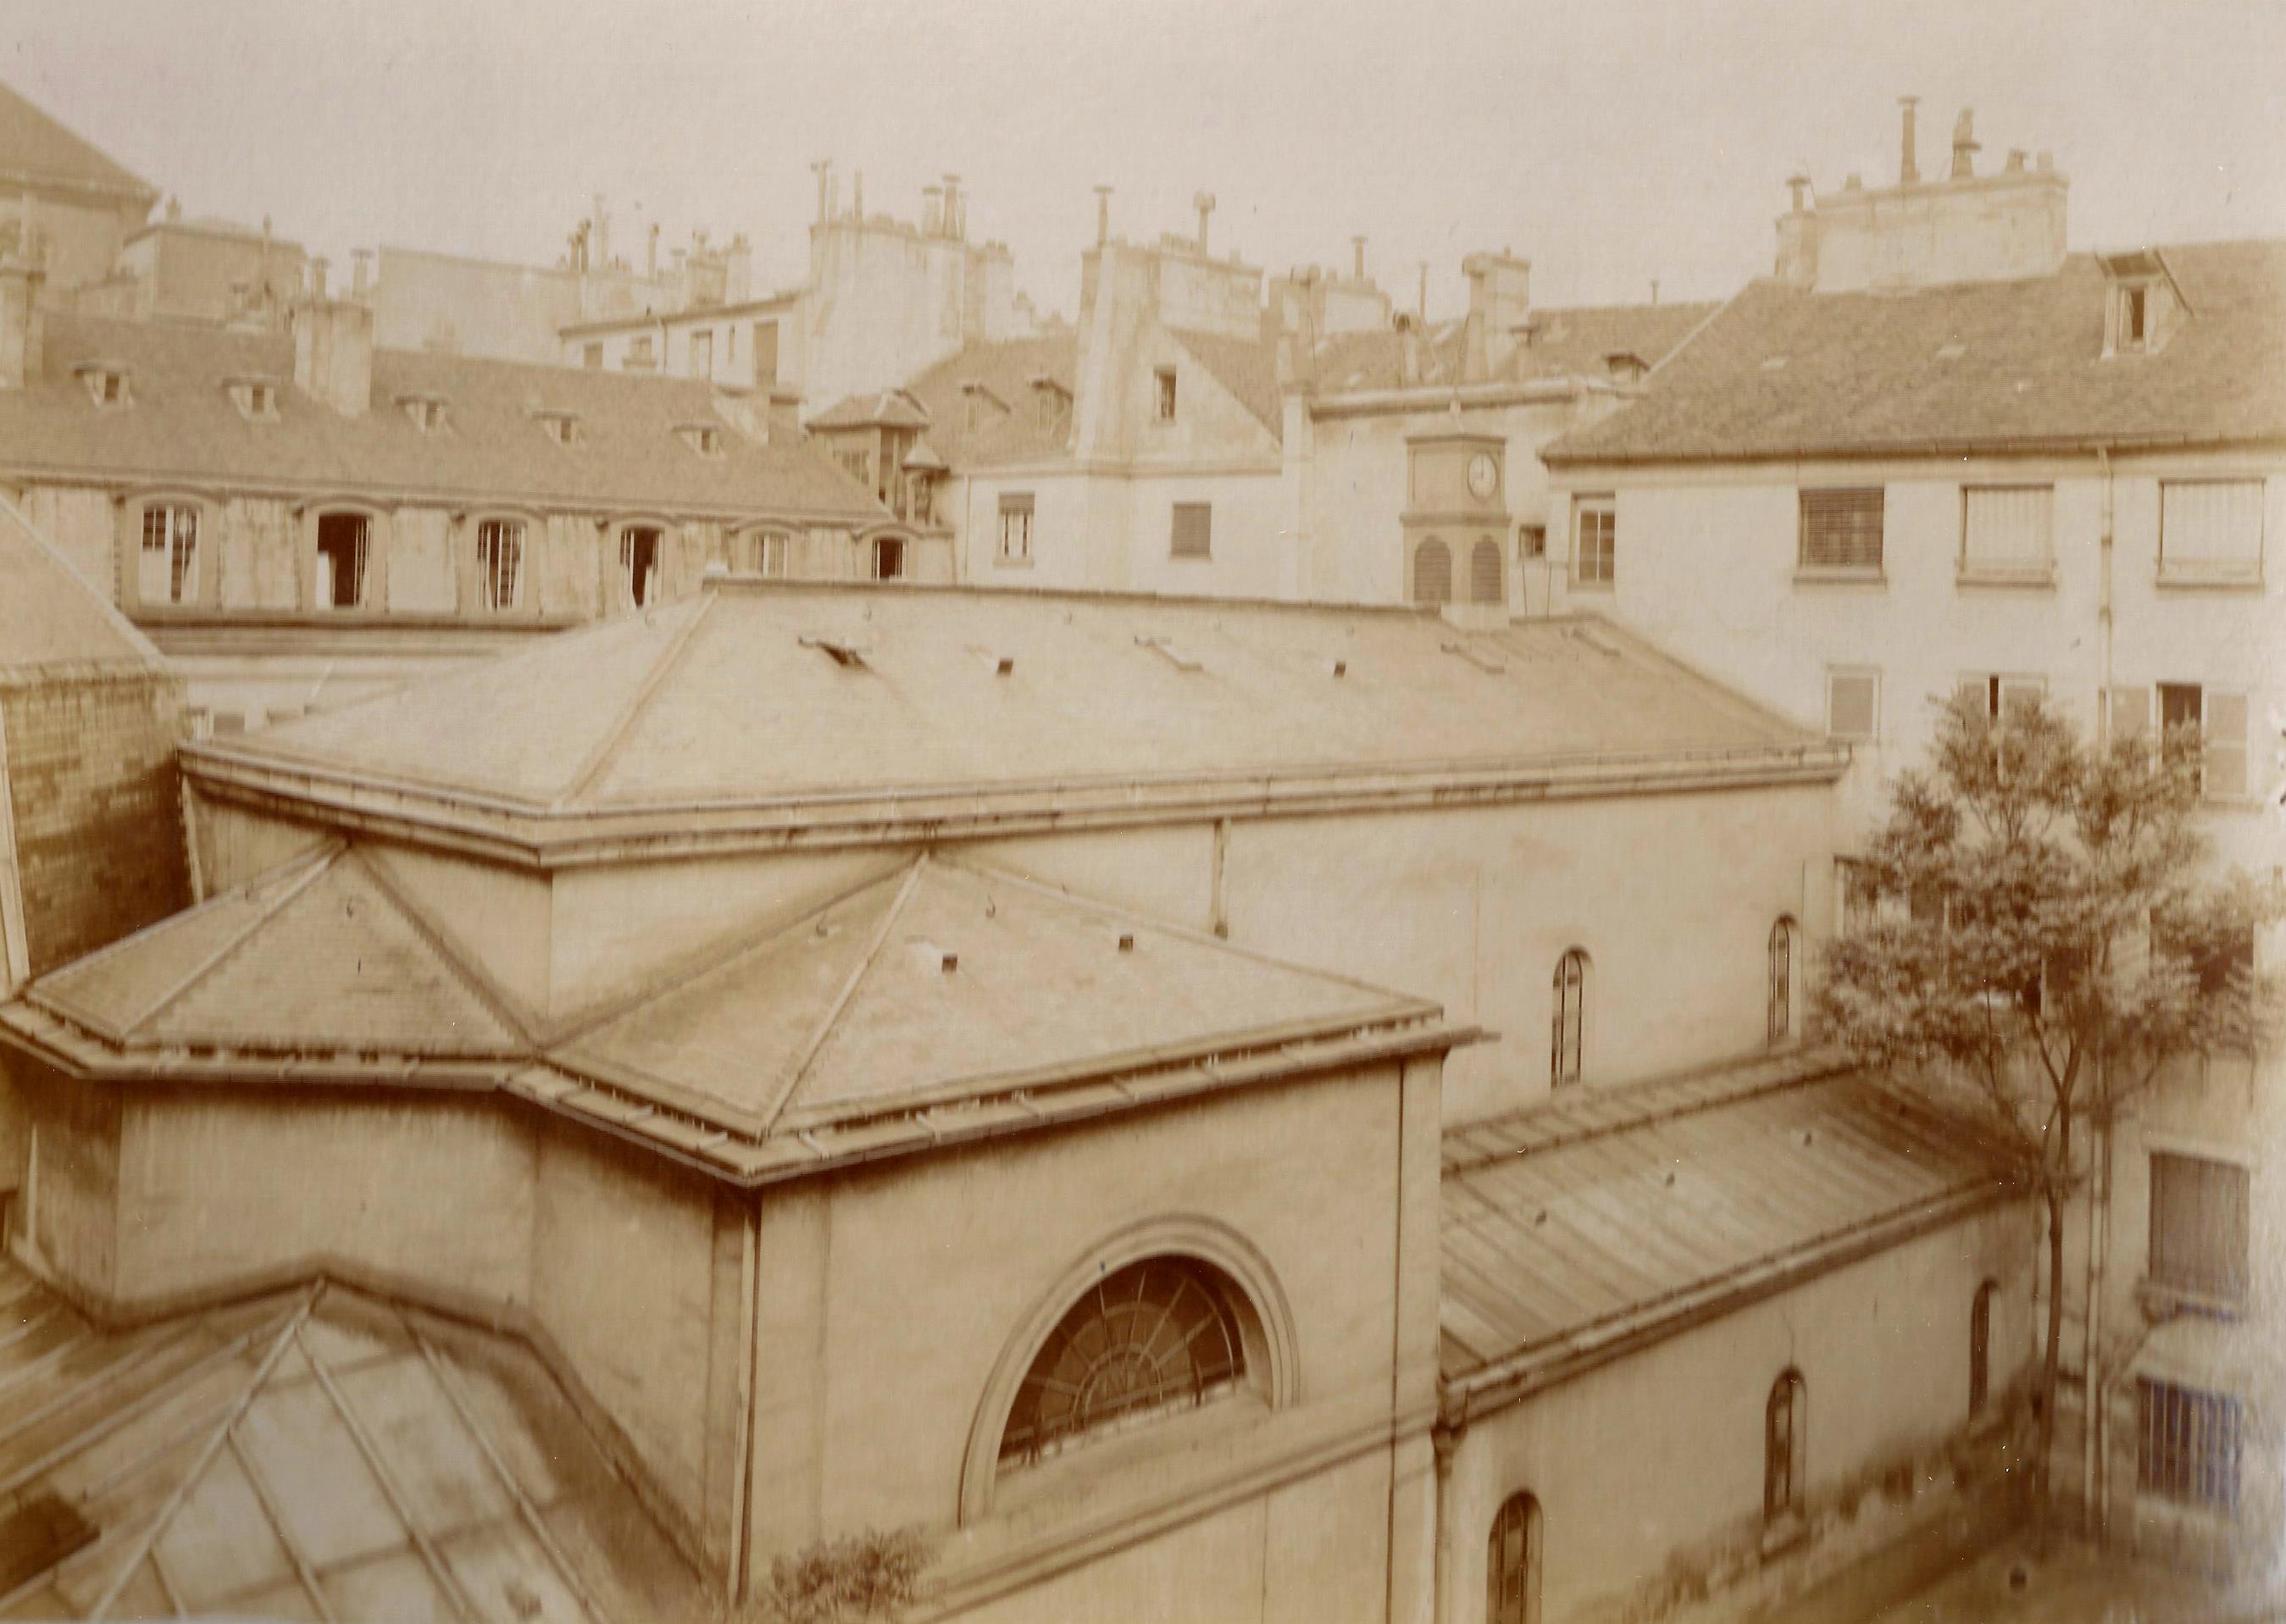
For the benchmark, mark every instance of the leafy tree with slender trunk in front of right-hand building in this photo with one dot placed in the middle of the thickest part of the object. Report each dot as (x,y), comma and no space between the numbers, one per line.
(2047,944)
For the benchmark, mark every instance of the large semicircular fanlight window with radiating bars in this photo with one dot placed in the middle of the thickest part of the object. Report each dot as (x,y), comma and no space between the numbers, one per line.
(1144,1342)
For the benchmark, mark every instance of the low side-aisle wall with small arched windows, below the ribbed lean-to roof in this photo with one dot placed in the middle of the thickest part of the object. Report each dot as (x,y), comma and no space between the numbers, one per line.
(1626,1493)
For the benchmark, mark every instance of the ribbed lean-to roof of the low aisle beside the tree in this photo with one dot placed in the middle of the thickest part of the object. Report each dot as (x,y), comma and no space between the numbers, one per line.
(1583,1225)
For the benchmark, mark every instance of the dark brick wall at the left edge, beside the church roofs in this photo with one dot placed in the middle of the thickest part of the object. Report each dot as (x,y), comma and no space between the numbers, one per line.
(99,821)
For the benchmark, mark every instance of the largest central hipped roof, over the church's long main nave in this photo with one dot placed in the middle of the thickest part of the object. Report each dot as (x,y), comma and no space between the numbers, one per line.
(897,693)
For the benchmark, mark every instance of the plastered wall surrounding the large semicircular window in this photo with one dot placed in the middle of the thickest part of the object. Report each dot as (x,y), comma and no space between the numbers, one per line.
(877,1356)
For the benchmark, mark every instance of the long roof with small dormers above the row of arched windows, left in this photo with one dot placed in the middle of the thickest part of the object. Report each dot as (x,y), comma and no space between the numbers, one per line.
(182,424)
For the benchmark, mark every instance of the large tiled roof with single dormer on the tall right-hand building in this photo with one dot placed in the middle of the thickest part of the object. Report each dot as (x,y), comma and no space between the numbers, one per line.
(1787,373)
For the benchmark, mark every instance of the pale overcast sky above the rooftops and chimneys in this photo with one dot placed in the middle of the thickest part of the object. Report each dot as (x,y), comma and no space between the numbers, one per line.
(1610,143)
